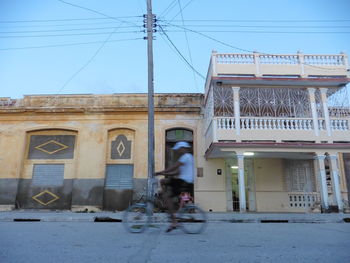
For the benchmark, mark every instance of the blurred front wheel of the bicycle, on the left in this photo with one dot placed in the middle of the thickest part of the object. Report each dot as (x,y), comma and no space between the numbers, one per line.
(136,218)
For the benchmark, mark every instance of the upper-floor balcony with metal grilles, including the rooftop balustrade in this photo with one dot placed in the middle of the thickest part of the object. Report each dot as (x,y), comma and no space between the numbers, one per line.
(277,99)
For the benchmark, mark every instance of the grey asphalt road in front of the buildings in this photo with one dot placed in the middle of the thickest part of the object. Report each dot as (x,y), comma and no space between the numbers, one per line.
(52,242)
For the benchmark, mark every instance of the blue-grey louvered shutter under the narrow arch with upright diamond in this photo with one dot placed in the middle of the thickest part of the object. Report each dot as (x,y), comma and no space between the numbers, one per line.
(119,176)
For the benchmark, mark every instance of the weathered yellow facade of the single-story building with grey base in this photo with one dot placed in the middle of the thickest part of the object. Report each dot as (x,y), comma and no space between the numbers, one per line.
(96,122)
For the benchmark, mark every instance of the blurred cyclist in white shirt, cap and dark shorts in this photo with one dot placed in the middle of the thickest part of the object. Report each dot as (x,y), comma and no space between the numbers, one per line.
(178,182)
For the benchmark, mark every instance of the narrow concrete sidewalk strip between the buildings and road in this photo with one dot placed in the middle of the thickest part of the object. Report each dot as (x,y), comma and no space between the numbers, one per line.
(68,216)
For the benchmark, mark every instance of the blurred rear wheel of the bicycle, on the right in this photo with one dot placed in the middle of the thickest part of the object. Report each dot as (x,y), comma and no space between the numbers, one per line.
(192,219)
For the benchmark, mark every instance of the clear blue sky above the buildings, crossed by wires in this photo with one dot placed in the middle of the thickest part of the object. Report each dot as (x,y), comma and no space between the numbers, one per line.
(33,61)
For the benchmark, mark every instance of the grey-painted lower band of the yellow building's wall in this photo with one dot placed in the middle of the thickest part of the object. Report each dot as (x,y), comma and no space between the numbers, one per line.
(78,195)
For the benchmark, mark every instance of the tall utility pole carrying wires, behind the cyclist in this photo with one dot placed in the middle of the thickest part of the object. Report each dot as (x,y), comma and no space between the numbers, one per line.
(150,99)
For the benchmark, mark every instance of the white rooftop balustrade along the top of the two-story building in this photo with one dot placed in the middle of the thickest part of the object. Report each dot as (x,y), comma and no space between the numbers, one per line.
(259,65)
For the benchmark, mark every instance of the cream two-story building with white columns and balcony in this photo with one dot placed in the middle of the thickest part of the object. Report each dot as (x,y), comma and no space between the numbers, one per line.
(276,133)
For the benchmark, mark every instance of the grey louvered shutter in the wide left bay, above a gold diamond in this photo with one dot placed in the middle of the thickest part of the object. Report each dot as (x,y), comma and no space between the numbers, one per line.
(48,175)
